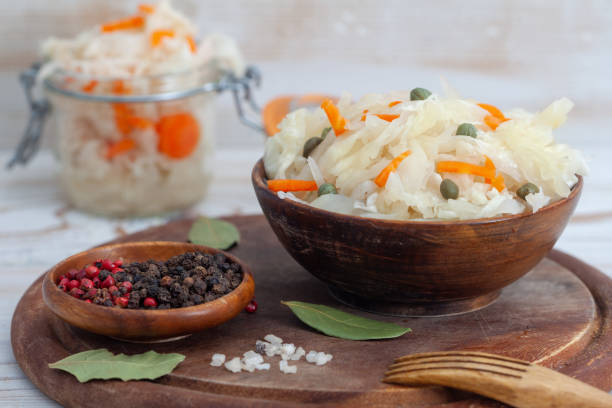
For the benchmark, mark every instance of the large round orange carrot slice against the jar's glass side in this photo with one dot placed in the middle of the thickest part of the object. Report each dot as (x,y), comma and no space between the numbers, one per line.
(178,135)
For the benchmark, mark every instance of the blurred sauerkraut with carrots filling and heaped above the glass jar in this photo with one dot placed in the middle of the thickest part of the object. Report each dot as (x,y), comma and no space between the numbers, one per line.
(124,156)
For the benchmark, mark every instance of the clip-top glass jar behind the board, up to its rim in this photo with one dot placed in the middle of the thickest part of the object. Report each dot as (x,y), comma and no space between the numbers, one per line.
(137,146)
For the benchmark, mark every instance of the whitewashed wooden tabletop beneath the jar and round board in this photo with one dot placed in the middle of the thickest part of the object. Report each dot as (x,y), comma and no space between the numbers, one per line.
(37,230)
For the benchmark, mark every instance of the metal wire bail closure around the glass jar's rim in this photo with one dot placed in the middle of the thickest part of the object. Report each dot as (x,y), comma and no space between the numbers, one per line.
(240,87)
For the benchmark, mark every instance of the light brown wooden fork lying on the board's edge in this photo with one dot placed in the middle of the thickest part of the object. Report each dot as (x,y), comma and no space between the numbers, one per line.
(514,382)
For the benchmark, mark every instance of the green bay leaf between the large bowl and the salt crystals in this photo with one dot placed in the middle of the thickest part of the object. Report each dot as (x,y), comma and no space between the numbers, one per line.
(337,323)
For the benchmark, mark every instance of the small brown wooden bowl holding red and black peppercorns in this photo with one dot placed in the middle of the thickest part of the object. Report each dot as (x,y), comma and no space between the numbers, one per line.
(140,324)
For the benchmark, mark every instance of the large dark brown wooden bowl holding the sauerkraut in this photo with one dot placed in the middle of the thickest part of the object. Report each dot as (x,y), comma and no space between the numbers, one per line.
(413,268)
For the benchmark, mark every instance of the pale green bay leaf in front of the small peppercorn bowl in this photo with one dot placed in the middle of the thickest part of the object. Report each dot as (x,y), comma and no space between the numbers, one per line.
(102,364)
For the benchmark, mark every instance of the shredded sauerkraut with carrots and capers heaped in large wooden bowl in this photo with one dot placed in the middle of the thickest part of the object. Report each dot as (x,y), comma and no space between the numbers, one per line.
(421,156)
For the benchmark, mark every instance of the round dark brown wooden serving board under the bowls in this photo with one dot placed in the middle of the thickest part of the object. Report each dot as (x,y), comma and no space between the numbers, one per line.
(558,315)
